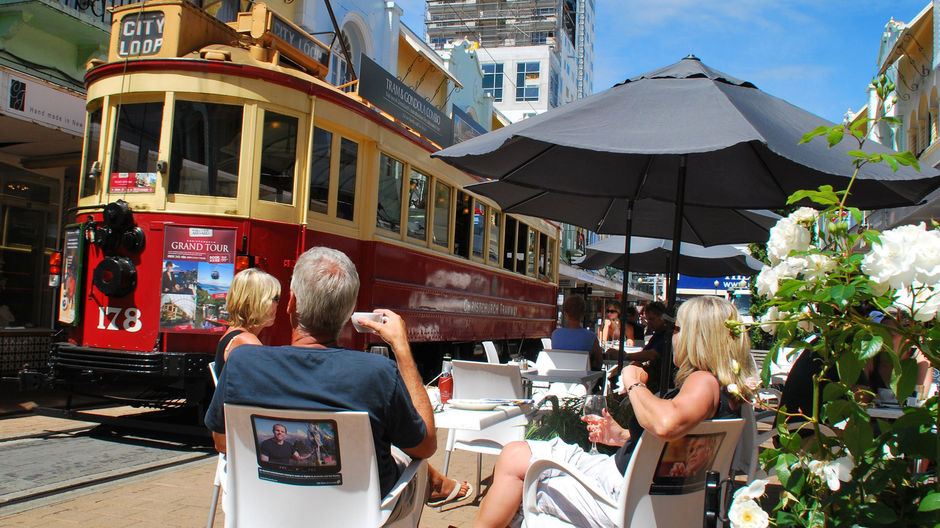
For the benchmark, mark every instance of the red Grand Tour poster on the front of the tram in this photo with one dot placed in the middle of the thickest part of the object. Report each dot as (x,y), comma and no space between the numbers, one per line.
(198,264)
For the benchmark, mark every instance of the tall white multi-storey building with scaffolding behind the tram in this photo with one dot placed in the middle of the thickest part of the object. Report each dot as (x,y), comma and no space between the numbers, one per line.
(535,54)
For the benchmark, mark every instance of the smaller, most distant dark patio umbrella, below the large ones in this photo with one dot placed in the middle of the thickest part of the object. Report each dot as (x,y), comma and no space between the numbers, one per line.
(651,255)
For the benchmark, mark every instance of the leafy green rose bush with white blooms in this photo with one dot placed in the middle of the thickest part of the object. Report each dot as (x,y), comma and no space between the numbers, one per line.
(826,275)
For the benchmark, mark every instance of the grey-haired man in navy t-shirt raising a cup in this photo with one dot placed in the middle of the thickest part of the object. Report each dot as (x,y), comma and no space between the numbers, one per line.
(313,373)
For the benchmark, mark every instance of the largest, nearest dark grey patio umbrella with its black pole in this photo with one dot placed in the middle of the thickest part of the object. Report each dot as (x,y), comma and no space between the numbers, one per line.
(686,134)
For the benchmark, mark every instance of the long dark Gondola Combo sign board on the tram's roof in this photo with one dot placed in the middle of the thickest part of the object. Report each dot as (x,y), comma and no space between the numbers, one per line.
(391,95)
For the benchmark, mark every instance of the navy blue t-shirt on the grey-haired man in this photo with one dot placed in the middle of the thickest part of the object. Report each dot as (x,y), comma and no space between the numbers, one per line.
(324,379)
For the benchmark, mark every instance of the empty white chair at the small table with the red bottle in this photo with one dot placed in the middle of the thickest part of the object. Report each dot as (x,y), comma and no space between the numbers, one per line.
(474,379)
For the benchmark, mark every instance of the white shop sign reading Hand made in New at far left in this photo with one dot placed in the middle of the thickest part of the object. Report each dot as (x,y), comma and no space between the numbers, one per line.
(37,101)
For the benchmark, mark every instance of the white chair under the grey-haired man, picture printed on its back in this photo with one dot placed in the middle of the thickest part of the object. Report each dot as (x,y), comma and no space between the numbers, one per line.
(340,489)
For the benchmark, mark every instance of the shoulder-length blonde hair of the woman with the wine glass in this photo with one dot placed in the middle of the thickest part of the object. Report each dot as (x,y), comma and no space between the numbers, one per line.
(710,338)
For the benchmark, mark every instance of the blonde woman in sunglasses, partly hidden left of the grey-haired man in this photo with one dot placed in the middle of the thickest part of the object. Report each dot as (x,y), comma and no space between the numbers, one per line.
(252,306)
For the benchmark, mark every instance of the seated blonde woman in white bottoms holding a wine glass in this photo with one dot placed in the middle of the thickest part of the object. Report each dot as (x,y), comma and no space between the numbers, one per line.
(710,356)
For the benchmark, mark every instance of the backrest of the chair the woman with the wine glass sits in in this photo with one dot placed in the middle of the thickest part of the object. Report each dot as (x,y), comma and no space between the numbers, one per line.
(653,497)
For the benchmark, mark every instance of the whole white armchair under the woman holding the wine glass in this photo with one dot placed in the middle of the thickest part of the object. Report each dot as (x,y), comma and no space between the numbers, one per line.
(649,497)
